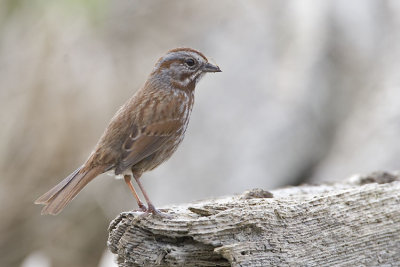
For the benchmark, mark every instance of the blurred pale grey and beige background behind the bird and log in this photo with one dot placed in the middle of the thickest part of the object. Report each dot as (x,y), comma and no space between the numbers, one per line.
(310,92)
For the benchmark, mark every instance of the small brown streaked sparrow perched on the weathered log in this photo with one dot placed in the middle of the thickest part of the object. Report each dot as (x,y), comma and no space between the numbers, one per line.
(143,133)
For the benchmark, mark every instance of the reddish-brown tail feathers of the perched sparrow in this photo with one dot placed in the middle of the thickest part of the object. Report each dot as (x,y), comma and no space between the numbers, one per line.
(59,196)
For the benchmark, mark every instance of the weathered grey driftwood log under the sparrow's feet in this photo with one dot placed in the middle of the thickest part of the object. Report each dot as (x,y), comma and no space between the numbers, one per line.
(356,223)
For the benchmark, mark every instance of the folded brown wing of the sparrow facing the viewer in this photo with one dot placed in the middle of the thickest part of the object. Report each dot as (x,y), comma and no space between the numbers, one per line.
(142,142)
